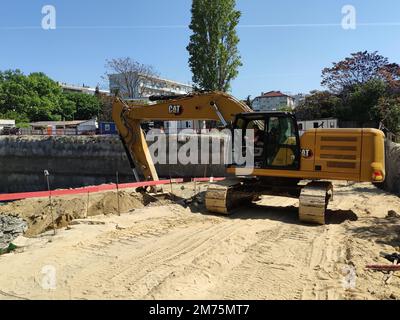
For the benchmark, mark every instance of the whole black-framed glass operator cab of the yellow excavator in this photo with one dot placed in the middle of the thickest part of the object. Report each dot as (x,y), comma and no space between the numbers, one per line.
(276,139)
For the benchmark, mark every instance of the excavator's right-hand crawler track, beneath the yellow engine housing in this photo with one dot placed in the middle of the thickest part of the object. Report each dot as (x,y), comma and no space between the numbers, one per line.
(314,198)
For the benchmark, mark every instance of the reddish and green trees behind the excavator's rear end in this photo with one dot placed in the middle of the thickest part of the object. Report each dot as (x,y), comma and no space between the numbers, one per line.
(362,88)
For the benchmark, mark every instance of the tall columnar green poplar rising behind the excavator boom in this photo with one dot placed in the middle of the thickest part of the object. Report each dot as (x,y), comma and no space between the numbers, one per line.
(214,57)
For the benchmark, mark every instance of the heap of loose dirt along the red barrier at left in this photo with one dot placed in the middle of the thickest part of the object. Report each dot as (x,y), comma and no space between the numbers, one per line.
(39,214)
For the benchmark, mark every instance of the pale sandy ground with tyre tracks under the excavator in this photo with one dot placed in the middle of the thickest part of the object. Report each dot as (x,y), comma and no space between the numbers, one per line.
(167,251)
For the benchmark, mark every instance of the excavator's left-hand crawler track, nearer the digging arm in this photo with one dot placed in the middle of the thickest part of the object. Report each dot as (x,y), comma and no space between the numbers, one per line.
(225,196)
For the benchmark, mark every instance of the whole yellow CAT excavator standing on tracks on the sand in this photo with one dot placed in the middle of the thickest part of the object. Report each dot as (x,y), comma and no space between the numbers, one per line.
(285,163)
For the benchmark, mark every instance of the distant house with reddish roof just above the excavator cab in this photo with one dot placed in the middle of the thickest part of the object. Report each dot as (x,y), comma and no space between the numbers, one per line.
(272,101)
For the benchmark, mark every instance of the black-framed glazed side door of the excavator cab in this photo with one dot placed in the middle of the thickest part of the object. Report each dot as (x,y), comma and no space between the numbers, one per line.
(282,143)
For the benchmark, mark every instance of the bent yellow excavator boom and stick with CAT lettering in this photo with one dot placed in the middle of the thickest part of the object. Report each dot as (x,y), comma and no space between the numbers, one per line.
(216,106)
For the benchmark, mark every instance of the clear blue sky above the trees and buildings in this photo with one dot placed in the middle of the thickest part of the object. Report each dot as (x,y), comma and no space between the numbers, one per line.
(278,51)
